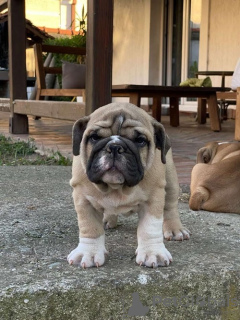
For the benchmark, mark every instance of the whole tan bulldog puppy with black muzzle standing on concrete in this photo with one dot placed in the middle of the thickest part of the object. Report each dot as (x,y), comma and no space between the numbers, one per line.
(123,164)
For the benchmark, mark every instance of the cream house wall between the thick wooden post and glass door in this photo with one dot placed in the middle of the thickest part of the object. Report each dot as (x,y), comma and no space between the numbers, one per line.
(131,28)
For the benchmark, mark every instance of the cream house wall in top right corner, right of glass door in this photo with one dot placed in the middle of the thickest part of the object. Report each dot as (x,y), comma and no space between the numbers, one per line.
(219,38)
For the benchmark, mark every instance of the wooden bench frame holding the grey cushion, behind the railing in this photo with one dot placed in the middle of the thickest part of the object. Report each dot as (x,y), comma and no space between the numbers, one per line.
(42,71)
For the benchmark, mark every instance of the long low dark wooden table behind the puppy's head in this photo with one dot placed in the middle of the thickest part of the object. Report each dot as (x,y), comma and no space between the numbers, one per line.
(136,92)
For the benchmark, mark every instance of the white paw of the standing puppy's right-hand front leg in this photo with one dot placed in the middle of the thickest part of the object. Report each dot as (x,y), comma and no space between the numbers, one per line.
(154,255)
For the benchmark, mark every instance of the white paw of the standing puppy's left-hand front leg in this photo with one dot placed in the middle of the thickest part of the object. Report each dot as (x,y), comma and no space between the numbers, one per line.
(89,253)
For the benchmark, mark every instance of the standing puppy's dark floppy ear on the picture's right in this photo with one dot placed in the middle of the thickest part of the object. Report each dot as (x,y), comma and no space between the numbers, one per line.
(162,140)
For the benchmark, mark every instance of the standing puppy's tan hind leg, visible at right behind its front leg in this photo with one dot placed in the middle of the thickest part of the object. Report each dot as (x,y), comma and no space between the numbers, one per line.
(172,226)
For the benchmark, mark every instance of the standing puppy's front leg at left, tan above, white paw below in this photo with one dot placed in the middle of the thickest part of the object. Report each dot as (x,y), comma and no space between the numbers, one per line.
(91,249)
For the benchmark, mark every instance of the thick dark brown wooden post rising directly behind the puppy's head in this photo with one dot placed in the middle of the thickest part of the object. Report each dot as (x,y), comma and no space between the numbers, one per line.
(99,54)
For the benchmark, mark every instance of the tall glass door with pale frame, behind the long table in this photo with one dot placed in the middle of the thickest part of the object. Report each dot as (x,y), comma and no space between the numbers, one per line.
(181,21)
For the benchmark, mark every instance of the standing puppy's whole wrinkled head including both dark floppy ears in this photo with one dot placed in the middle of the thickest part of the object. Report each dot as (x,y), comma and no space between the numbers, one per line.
(118,145)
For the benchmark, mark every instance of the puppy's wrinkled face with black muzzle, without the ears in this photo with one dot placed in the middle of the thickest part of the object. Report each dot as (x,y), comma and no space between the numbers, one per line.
(117,151)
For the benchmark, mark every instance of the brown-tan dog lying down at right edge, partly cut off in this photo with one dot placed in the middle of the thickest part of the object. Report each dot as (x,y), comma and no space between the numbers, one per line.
(215,180)
